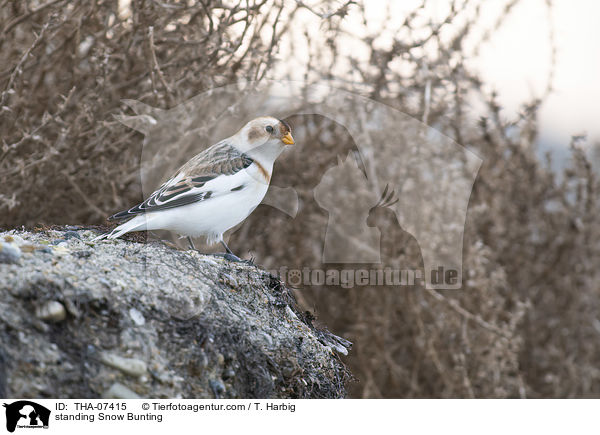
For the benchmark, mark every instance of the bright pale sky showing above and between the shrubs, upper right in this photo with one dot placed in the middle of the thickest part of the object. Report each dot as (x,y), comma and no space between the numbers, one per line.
(516,59)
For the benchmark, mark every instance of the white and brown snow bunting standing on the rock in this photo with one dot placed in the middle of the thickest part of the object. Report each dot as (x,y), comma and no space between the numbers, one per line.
(216,190)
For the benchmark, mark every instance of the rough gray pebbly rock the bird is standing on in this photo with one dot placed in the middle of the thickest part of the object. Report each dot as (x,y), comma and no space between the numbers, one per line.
(118,318)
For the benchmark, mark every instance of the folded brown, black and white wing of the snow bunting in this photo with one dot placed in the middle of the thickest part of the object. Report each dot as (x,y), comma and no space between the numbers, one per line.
(188,185)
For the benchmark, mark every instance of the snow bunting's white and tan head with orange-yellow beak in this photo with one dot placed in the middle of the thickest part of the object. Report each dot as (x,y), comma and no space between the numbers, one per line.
(265,130)
